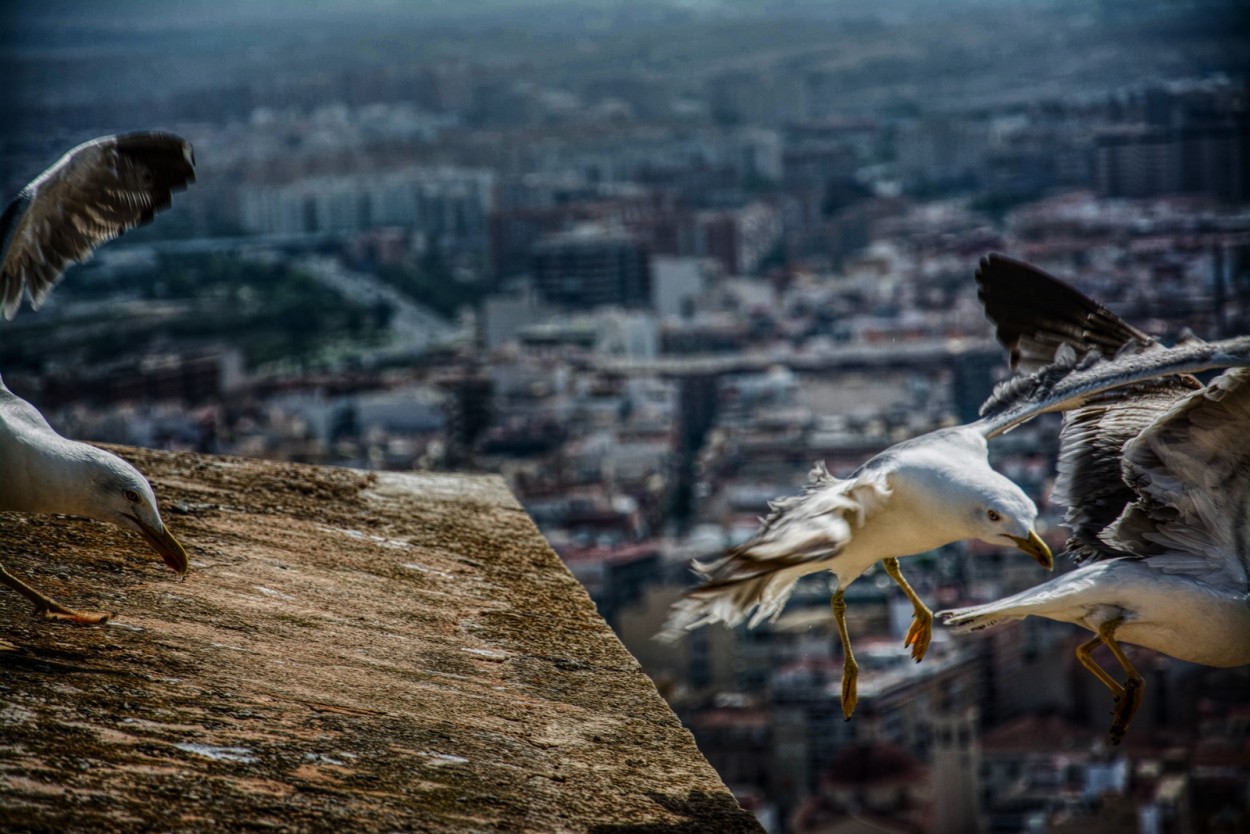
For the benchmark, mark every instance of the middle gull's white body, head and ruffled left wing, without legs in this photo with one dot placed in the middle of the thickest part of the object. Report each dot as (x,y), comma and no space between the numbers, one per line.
(912,498)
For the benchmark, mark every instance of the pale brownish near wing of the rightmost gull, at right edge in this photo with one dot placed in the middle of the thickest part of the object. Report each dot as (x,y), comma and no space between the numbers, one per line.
(1191,472)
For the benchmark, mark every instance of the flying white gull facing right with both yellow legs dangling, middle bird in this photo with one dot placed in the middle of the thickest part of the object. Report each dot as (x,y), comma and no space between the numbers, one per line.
(912,498)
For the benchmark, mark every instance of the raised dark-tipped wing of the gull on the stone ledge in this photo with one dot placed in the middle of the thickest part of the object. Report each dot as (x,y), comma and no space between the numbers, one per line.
(93,194)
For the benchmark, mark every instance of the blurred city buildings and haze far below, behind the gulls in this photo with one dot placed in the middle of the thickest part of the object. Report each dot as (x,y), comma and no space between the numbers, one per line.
(651,262)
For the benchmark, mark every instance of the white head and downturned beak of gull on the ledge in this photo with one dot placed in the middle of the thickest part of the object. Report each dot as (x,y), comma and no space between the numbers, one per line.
(118,495)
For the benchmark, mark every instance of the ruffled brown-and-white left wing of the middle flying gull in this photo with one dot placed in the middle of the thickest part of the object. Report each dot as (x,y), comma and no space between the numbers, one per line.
(803,532)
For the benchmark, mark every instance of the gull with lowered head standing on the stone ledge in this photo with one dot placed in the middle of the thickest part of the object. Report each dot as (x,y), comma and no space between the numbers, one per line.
(89,197)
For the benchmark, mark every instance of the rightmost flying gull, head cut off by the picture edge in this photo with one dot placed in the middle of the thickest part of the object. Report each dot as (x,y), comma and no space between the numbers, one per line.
(1157,480)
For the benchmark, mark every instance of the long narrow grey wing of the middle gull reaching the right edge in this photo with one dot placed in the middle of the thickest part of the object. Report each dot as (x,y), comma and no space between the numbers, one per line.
(1071,383)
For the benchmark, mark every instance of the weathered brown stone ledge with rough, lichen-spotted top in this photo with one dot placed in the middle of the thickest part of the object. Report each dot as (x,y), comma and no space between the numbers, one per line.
(351,652)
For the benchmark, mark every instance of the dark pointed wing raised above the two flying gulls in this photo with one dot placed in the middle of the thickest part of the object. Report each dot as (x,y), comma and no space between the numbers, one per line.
(1036,313)
